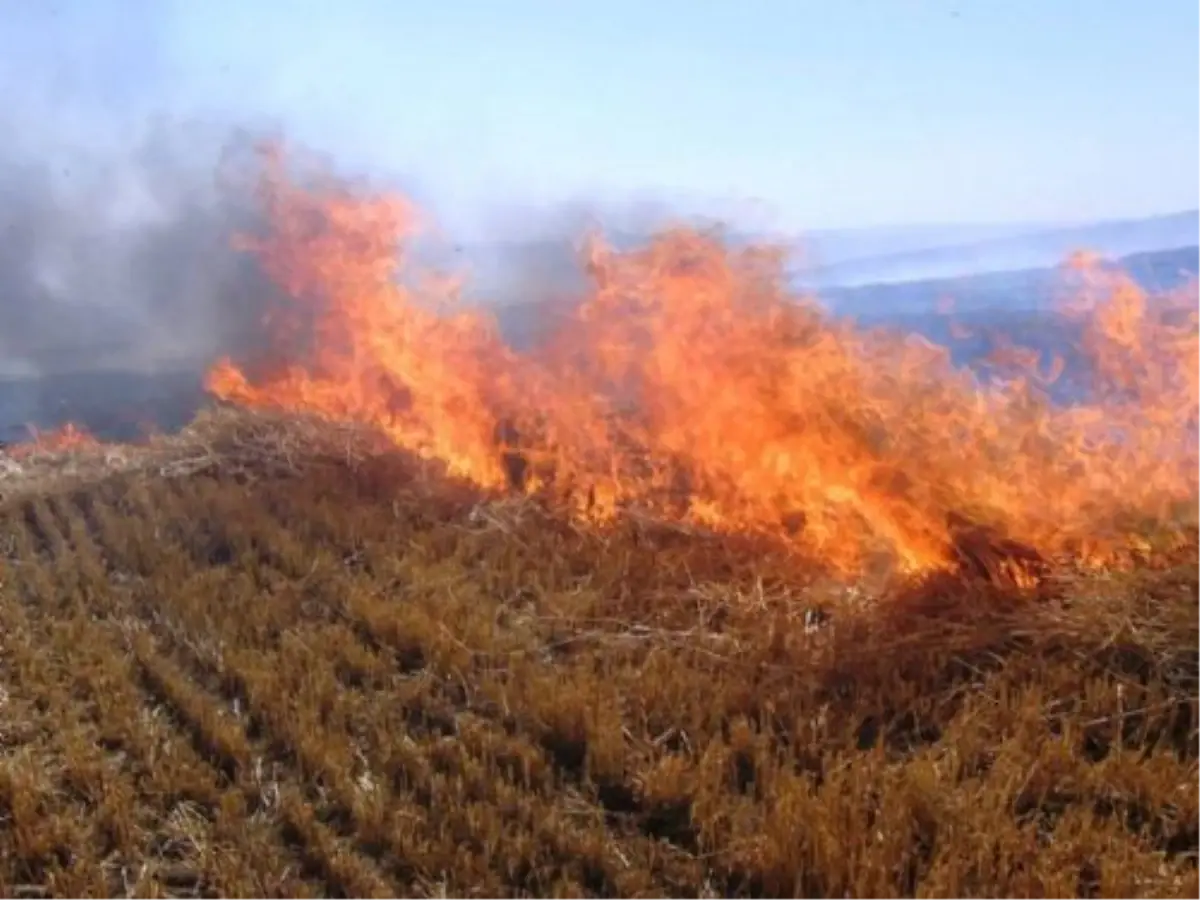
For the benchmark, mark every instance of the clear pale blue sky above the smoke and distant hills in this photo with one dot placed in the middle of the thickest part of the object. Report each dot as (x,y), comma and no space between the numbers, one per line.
(803,115)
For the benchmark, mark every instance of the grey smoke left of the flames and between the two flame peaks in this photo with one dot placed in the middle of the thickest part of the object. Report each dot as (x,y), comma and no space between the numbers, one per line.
(121,280)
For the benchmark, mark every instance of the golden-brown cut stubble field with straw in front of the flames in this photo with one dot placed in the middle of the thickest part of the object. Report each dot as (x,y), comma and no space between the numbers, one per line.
(259,661)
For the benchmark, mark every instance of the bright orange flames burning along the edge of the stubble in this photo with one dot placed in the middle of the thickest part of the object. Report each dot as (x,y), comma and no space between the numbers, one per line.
(691,382)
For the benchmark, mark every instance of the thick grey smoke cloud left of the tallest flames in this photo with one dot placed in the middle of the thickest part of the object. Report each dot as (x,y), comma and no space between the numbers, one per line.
(128,262)
